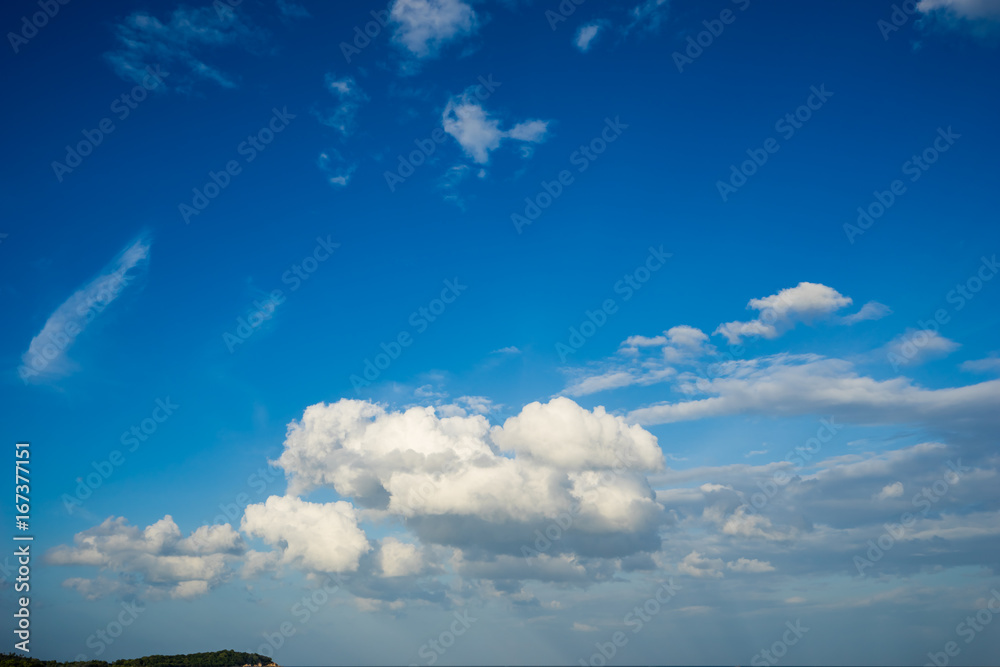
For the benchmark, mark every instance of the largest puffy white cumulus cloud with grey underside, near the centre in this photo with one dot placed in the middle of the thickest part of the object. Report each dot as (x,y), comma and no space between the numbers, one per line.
(448,477)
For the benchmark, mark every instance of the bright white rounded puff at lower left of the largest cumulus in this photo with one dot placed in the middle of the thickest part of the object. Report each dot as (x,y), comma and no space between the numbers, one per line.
(319,537)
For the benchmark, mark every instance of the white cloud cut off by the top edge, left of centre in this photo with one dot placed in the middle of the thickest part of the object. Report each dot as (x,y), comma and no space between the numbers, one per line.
(423,27)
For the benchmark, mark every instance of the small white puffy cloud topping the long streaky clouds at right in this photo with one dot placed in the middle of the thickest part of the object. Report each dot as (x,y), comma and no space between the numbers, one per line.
(806,302)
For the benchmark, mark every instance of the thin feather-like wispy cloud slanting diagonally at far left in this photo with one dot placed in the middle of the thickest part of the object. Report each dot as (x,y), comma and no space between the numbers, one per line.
(46,354)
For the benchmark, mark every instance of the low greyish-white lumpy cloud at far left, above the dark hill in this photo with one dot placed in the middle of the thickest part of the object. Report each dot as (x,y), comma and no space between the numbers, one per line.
(154,562)
